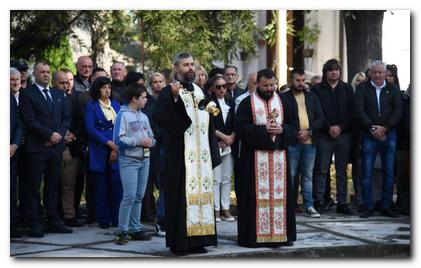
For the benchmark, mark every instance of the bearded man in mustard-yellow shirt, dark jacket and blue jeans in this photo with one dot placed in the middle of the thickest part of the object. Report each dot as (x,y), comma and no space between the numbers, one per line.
(303,152)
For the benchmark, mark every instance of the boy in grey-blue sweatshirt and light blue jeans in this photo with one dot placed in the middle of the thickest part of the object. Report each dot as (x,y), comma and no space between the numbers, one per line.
(134,136)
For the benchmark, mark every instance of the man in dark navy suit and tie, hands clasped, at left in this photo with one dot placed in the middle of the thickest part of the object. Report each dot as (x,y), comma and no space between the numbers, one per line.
(47,119)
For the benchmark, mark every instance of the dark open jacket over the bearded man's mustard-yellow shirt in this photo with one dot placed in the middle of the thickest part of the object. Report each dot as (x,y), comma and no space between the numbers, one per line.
(314,109)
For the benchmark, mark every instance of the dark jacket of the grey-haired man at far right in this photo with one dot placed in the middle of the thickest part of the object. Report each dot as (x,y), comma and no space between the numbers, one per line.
(366,108)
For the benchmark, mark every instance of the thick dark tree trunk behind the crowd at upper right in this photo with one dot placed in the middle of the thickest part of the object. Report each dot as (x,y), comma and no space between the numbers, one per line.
(364,38)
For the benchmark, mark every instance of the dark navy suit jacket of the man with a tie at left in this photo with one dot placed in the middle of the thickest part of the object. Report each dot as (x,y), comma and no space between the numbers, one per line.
(40,121)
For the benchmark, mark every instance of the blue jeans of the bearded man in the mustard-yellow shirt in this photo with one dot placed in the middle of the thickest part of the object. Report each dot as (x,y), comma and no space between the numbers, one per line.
(303,155)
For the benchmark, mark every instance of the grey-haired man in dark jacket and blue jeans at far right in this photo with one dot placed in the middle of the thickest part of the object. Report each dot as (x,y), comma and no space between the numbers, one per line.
(378,109)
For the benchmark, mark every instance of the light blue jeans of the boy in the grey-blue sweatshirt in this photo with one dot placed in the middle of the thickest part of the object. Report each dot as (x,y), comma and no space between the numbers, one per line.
(134,177)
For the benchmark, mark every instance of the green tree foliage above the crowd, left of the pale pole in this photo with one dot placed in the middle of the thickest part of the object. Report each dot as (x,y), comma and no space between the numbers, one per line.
(209,35)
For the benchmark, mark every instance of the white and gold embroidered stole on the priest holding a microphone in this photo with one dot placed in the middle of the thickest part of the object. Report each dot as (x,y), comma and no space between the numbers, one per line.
(199,175)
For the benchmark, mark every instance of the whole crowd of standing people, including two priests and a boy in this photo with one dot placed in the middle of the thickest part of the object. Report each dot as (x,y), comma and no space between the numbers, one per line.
(191,134)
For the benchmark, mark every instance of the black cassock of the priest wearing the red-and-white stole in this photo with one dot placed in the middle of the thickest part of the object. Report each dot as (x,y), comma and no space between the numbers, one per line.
(253,138)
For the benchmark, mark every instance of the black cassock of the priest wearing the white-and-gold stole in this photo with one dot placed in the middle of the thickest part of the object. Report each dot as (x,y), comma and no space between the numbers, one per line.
(173,119)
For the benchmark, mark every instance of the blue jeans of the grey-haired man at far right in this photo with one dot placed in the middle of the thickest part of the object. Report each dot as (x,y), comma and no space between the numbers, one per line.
(387,149)
